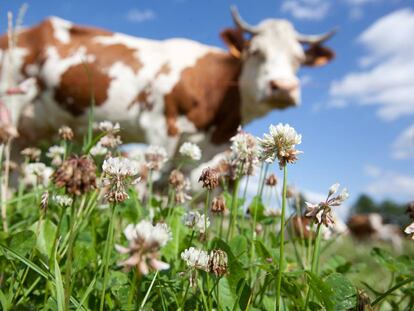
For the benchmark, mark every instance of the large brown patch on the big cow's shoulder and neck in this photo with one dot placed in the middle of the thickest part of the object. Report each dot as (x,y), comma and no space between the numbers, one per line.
(208,95)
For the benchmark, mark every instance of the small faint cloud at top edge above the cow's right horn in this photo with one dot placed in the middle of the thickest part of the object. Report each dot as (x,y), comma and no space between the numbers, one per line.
(306,9)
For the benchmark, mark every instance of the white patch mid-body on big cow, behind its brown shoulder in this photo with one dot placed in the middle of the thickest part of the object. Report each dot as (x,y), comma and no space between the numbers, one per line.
(126,84)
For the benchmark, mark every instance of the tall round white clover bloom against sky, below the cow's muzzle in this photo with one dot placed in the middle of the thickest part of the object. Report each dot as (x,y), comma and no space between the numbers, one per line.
(280,143)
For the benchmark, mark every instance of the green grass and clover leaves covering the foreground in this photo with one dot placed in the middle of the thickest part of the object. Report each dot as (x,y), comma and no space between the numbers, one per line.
(64,258)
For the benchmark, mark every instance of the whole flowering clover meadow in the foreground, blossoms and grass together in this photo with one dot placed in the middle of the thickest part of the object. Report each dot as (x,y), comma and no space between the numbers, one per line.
(90,228)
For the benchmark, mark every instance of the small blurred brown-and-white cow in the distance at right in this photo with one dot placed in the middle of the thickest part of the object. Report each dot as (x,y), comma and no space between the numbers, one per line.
(371,227)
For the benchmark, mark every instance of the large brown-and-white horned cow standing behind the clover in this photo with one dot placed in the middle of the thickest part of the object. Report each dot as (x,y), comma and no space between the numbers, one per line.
(161,92)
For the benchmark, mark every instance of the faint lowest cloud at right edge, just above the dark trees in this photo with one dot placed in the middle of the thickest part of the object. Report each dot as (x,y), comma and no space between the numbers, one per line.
(390,183)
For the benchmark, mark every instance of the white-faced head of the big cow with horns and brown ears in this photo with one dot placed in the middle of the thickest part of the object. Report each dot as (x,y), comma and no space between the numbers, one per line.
(271,58)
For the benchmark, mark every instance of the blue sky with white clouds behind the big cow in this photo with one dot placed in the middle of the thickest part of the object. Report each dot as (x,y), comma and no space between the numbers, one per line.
(356,116)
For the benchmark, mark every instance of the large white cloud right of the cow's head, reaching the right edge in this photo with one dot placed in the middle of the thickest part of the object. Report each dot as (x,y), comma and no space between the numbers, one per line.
(387,79)
